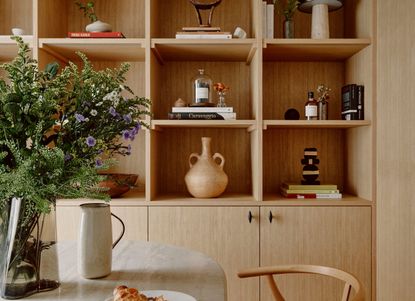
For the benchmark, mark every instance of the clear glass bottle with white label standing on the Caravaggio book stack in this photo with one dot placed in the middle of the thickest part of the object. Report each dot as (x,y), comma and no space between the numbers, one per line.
(202,90)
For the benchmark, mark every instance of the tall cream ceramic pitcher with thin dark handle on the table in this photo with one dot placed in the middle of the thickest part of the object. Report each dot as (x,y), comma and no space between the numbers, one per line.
(95,240)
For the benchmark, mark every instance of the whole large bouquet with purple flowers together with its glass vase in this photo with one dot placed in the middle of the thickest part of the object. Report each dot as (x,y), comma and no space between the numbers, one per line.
(57,131)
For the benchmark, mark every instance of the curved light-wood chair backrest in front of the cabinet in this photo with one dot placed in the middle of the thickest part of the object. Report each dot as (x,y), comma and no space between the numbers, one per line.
(269,271)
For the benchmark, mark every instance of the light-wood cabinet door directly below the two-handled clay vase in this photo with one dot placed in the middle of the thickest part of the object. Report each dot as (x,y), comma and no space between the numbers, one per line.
(223,233)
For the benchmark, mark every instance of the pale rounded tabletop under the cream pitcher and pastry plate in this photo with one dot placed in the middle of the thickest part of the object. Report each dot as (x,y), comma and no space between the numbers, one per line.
(143,265)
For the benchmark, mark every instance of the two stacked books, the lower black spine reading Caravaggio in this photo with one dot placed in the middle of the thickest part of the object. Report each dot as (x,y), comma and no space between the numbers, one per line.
(202,113)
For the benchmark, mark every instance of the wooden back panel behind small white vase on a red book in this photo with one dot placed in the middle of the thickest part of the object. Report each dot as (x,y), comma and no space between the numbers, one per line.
(113,12)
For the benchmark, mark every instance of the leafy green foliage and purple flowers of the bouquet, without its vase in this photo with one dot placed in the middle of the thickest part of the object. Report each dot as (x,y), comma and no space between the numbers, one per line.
(59,130)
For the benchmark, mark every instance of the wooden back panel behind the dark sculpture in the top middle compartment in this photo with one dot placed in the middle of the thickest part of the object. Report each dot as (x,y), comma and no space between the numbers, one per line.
(171,16)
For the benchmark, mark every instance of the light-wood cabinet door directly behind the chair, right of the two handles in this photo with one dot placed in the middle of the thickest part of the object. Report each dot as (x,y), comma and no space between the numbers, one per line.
(339,237)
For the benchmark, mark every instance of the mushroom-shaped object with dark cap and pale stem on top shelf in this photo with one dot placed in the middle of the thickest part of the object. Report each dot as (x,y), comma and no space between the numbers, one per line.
(320,15)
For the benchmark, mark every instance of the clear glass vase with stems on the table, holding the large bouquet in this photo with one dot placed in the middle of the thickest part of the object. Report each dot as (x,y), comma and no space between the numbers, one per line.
(28,264)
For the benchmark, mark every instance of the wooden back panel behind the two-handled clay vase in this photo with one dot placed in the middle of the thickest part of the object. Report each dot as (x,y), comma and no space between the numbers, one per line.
(177,144)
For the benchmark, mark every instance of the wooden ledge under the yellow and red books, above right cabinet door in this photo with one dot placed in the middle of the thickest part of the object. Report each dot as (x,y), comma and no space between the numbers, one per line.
(347,200)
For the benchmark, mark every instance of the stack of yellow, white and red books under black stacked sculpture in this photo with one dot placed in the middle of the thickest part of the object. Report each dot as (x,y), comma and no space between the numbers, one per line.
(299,191)
